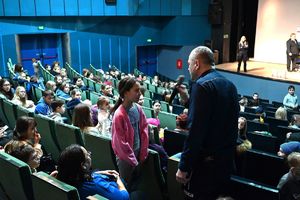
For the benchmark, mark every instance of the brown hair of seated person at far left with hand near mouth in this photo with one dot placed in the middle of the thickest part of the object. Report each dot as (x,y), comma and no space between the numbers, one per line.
(22,125)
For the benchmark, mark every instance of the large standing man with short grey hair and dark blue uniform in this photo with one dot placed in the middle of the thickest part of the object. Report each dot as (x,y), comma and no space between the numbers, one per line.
(207,158)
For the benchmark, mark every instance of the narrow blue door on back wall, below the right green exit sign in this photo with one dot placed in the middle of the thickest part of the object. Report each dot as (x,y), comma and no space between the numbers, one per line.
(147,59)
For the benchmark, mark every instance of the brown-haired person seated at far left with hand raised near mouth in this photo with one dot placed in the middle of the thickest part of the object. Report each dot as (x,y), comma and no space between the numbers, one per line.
(25,133)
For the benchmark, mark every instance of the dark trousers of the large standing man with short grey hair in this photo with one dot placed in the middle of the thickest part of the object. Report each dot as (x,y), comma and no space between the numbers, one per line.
(209,180)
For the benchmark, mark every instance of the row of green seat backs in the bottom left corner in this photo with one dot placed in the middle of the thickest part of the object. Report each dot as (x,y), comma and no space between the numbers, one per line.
(17,182)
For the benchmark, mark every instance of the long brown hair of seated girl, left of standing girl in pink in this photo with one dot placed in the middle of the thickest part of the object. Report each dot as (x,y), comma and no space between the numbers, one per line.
(82,116)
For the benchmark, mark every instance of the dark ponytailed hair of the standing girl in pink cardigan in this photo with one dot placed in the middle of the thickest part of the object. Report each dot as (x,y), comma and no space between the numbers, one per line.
(124,86)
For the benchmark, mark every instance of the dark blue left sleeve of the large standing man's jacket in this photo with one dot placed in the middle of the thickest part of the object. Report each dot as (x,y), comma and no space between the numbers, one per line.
(199,120)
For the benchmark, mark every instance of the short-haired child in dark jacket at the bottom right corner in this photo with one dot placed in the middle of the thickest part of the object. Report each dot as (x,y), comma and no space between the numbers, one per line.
(289,184)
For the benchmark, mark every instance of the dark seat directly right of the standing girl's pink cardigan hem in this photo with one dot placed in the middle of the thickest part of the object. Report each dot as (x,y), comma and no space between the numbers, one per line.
(152,182)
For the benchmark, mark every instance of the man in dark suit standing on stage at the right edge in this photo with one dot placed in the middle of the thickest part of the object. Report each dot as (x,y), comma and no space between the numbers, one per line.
(292,51)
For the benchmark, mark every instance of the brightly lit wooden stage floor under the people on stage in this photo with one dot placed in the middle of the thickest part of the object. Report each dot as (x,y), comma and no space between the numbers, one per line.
(262,69)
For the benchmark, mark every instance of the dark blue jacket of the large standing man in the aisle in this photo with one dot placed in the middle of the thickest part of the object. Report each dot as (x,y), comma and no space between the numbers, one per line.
(213,119)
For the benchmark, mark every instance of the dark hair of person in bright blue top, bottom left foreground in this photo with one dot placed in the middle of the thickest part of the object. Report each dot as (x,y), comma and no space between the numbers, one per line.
(70,168)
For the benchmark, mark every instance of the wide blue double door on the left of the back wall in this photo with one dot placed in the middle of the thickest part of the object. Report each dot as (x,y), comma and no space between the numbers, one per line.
(42,47)
